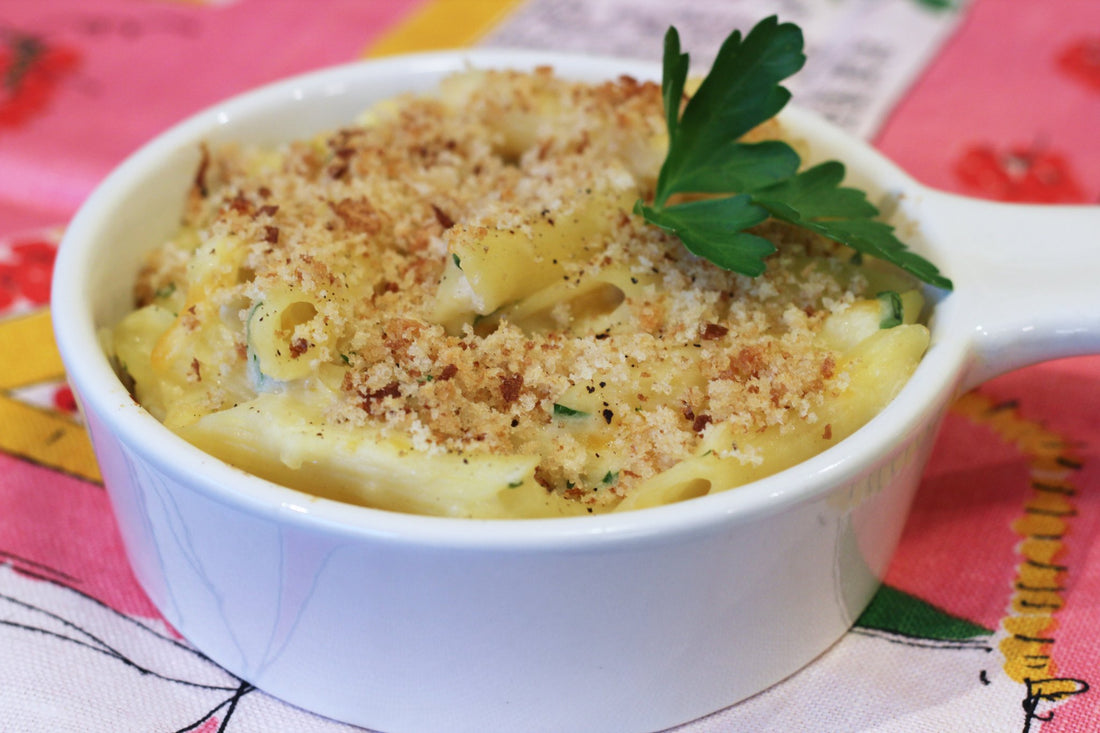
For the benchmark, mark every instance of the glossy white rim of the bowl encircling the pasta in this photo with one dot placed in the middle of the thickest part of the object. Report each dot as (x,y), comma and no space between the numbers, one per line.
(104,396)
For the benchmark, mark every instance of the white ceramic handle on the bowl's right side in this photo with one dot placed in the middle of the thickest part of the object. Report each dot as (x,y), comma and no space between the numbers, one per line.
(1027,279)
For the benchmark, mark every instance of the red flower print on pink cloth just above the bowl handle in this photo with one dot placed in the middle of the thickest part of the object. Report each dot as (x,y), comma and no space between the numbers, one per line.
(1019,174)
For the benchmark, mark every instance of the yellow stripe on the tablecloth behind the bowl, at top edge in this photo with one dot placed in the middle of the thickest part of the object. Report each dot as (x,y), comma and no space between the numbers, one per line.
(443,25)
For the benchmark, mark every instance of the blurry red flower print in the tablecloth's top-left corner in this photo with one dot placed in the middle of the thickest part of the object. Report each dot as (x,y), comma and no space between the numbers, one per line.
(30,71)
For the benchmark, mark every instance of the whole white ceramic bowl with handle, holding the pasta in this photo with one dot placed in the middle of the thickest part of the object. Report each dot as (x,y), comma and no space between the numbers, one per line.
(632,622)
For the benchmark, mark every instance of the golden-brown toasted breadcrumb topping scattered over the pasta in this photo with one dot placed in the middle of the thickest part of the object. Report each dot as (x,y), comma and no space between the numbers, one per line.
(642,349)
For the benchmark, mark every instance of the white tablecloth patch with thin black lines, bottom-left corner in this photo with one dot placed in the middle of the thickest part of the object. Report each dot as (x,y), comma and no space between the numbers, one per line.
(100,669)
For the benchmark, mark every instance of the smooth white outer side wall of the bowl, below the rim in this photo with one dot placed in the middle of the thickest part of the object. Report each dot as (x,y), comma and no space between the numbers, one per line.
(354,627)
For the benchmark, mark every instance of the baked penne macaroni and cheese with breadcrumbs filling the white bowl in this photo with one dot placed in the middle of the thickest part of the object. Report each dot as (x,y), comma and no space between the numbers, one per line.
(449,309)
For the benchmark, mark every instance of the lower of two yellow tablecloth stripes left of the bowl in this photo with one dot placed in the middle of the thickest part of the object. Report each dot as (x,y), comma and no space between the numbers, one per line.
(47,439)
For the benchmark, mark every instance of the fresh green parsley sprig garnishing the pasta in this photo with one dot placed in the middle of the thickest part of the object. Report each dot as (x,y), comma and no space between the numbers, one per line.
(747,183)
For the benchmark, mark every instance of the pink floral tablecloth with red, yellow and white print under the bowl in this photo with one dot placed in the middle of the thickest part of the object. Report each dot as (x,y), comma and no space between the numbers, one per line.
(989,615)
